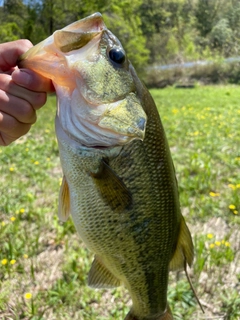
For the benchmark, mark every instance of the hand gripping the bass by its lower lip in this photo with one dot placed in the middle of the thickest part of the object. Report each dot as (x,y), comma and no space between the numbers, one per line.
(22,92)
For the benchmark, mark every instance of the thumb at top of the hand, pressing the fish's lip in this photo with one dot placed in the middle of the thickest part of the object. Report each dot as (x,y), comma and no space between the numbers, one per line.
(10,52)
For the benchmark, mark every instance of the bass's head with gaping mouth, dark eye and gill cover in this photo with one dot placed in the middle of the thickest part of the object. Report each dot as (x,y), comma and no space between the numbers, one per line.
(97,97)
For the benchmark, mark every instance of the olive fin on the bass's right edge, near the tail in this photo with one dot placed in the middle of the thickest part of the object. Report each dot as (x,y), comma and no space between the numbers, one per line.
(184,249)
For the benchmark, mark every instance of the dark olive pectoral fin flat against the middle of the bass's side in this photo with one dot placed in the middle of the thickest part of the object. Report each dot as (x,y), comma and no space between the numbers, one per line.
(112,188)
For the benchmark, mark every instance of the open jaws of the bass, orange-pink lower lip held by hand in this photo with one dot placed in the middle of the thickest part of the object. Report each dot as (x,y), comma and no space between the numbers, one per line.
(49,57)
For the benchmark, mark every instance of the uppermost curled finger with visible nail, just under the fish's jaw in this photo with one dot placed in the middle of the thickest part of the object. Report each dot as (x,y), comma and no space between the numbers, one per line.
(32,81)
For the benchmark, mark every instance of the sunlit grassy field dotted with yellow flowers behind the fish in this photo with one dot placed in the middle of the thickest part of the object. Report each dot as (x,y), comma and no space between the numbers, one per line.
(44,265)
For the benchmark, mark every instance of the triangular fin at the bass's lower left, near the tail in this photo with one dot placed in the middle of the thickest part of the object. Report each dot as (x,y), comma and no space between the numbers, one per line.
(100,277)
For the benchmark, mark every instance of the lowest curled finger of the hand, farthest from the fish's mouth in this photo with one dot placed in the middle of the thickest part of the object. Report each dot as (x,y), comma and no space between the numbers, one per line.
(11,129)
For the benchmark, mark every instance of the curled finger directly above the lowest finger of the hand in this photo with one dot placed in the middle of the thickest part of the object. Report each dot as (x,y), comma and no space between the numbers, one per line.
(17,108)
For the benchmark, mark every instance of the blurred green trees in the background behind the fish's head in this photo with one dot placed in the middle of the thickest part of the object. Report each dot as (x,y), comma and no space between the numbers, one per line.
(152,31)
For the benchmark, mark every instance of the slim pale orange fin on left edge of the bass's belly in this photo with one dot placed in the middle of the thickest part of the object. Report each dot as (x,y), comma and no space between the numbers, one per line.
(64,201)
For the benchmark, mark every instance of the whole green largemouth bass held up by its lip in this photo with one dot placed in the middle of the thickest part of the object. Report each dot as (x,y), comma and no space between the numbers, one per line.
(119,183)
